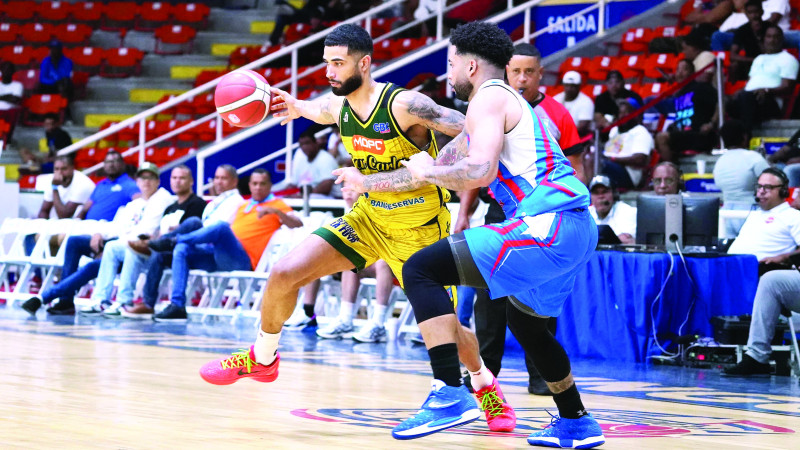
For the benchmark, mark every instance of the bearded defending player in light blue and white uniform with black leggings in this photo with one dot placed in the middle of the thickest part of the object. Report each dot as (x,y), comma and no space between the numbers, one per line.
(531,257)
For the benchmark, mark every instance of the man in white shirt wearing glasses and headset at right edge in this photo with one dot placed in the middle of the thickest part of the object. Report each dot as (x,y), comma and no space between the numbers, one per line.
(771,233)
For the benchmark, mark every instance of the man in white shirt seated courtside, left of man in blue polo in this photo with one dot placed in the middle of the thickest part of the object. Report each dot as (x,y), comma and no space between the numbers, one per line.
(69,190)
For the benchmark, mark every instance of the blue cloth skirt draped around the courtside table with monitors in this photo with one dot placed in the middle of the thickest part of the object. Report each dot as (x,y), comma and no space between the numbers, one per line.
(608,314)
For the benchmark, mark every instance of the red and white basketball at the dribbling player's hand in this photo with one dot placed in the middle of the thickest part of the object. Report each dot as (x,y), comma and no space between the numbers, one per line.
(242,98)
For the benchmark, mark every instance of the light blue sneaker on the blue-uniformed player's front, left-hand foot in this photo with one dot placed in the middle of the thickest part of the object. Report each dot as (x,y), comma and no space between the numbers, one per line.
(445,407)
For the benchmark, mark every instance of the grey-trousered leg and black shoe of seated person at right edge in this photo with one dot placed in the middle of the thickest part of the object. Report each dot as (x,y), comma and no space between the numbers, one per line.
(777,290)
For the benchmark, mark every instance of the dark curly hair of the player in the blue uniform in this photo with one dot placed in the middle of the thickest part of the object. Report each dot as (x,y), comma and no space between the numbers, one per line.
(485,40)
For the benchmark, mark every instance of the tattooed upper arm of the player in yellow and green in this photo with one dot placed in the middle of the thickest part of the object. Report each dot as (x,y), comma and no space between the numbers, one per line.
(412,108)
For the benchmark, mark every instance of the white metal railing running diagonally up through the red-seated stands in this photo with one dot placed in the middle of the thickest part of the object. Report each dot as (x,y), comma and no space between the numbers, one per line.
(292,51)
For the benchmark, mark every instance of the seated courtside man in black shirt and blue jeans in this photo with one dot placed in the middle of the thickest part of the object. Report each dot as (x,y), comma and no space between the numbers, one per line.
(136,258)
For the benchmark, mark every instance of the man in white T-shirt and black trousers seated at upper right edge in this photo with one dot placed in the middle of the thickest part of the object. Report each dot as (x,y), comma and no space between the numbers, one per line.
(772,77)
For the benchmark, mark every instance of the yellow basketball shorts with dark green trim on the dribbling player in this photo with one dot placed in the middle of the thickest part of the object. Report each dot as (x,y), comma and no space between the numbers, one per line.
(363,242)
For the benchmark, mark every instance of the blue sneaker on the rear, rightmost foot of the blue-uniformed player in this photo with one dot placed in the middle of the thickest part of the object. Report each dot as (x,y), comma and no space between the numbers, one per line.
(583,432)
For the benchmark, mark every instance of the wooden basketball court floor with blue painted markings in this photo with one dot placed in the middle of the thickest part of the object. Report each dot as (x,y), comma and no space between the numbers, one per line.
(100,383)
